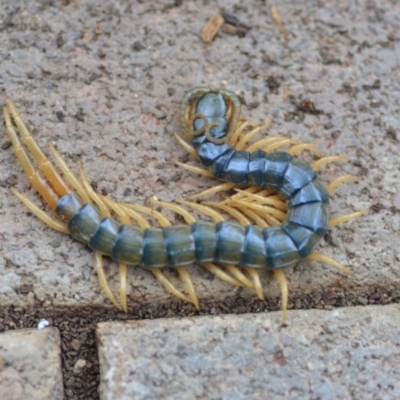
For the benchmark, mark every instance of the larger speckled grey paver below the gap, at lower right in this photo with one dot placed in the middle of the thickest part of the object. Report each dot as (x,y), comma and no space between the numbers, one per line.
(341,354)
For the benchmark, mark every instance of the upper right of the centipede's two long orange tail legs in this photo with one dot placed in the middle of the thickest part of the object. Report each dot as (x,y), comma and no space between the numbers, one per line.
(44,164)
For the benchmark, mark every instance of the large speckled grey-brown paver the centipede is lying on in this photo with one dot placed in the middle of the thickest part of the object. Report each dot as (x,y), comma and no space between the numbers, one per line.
(103,82)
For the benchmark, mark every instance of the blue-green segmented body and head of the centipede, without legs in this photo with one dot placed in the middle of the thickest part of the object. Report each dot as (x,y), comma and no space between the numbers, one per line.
(213,116)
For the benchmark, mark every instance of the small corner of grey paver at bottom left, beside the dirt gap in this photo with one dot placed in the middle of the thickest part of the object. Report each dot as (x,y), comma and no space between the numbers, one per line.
(30,365)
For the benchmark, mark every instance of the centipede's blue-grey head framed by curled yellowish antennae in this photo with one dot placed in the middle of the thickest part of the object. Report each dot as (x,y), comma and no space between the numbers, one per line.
(224,105)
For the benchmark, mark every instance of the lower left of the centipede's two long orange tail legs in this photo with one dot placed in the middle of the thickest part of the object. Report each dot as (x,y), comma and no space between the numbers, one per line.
(34,176)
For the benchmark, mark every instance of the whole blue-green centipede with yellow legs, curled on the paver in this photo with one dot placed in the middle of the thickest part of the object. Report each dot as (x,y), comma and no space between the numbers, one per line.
(276,217)
